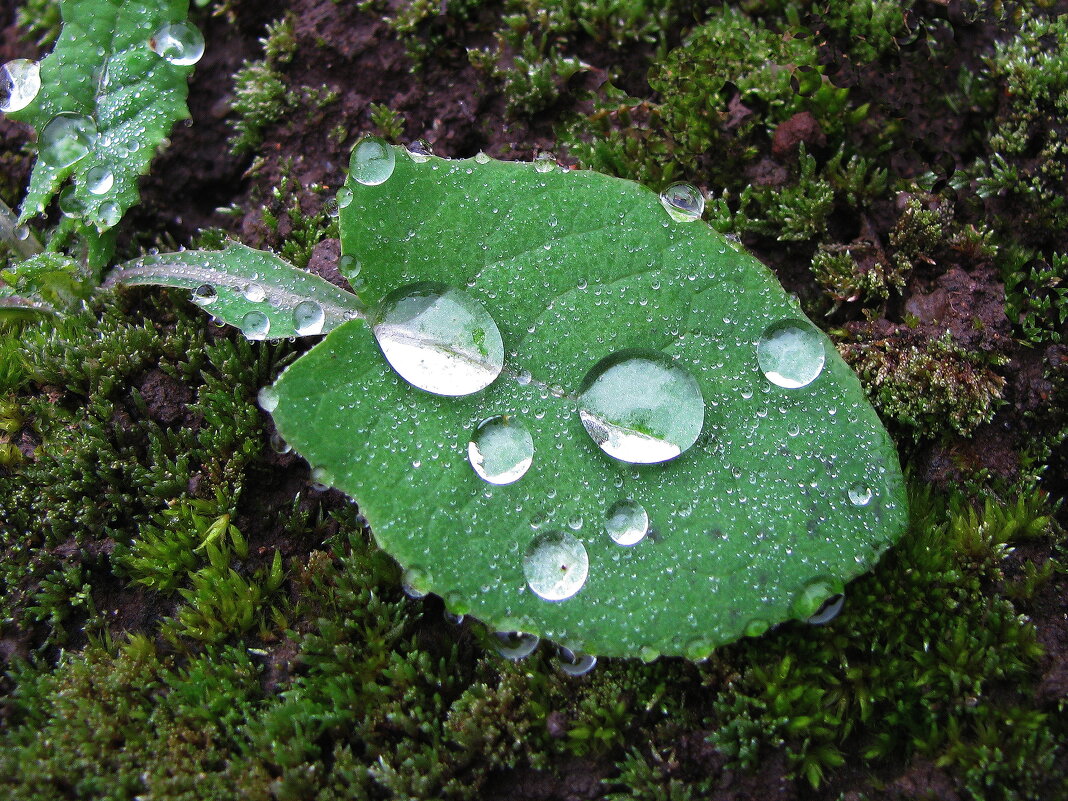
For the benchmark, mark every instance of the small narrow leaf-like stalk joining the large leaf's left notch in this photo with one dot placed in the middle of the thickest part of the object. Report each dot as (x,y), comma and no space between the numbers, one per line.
(263,295)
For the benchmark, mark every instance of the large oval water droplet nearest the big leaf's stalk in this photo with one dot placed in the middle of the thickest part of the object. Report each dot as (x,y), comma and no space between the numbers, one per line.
(439,339)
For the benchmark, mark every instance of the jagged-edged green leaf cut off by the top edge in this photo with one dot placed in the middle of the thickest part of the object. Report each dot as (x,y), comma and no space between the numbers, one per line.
(103,70)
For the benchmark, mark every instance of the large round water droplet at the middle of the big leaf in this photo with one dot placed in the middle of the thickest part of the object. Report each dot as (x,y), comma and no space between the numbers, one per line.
(641,407)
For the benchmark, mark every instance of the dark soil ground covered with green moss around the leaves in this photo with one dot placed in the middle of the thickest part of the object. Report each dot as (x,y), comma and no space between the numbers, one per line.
(185,617)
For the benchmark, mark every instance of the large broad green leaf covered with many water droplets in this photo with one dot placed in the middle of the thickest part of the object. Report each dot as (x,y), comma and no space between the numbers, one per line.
(786,495)
